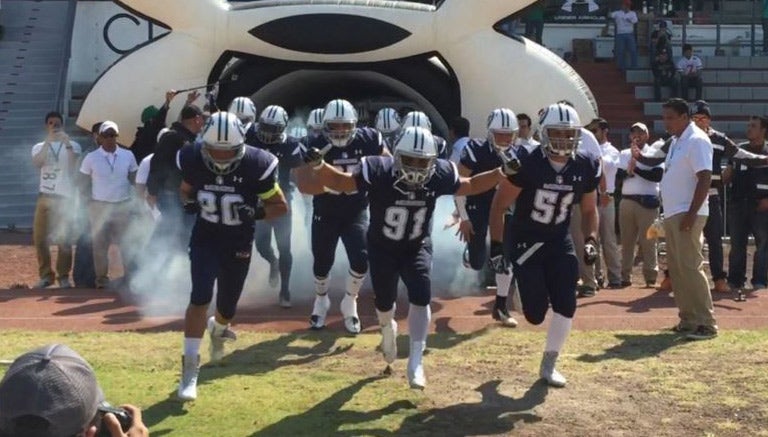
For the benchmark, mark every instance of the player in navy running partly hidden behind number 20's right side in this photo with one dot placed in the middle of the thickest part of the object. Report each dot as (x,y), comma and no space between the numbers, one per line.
(270,135)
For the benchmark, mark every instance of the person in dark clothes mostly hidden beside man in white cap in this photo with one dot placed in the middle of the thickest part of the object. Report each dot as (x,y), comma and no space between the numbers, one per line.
(83,271)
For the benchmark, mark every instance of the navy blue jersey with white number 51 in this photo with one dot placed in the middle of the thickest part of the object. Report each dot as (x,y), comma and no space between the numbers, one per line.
(543,208)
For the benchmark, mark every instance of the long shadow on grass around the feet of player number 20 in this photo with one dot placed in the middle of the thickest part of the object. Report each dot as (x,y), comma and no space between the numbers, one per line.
(259,358)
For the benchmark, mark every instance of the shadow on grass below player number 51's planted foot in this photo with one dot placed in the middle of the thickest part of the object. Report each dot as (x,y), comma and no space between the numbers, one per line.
(495,414)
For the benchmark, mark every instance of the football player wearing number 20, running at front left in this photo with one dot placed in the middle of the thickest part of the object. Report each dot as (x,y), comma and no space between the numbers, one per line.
(229,186)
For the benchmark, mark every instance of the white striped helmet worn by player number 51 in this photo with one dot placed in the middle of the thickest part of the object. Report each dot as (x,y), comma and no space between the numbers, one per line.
(560,129)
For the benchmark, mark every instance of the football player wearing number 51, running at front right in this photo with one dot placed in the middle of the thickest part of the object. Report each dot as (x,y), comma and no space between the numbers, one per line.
(552,178)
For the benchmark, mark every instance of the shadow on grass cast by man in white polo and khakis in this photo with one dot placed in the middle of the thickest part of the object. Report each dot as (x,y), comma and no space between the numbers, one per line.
(636,347)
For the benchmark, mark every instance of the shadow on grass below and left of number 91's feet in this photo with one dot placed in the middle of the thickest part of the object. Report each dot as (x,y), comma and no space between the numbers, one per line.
(328,417)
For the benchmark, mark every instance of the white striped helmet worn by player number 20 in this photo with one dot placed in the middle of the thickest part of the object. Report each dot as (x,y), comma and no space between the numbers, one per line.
(223,143)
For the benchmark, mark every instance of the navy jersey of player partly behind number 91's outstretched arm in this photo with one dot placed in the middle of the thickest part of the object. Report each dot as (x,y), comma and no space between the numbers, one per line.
(367,142)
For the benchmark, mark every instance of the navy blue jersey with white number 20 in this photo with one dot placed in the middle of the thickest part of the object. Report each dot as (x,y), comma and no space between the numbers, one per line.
(219,196)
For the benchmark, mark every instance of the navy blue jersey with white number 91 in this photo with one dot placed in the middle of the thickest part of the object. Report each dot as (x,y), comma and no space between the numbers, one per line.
(399,216)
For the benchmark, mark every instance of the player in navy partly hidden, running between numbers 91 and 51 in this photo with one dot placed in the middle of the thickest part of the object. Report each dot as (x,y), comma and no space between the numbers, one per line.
(477,157)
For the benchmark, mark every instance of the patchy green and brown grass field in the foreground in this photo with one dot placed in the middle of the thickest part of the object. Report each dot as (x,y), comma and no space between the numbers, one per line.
(620,384)
